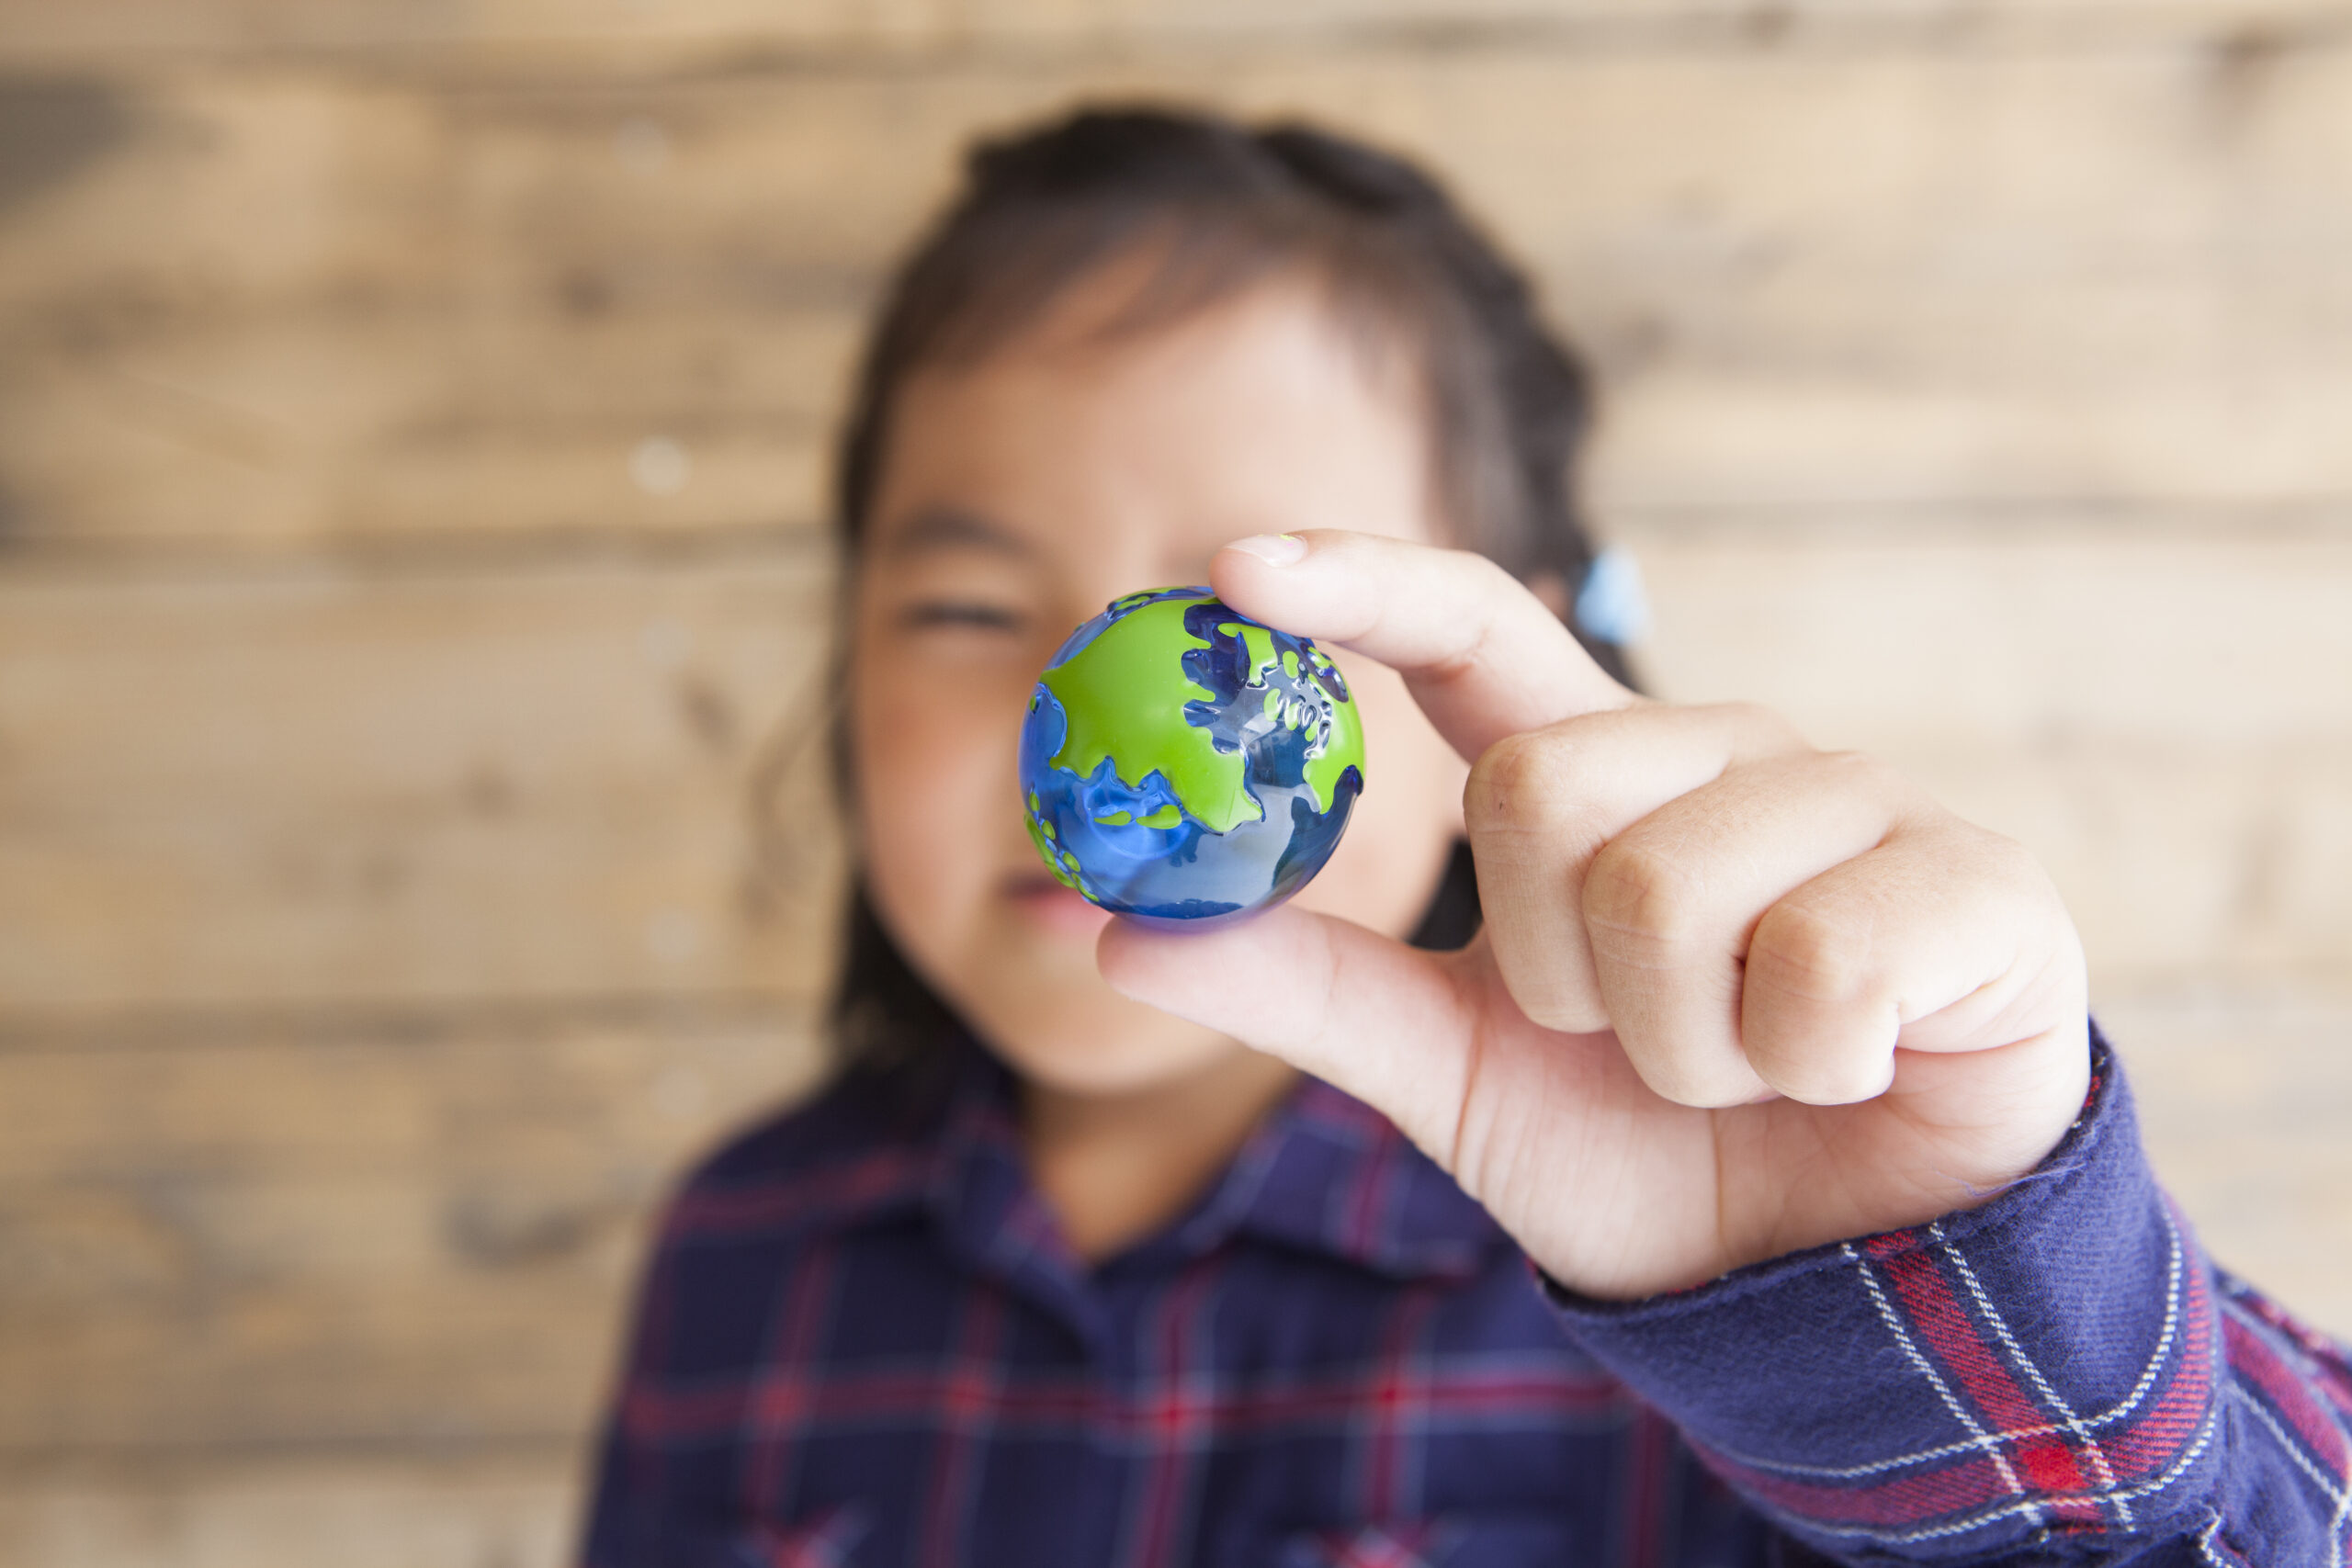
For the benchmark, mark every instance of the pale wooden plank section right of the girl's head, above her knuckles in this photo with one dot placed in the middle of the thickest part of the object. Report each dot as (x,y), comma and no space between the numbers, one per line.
(2160,721)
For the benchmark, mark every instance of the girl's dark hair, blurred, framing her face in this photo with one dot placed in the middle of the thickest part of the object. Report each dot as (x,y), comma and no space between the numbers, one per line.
(1210,208)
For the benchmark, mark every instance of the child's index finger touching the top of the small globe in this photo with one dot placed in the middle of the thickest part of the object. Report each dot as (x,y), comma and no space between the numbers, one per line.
(1483,657)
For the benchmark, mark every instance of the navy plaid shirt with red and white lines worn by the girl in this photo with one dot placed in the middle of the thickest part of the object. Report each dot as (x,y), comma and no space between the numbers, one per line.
(862,1341)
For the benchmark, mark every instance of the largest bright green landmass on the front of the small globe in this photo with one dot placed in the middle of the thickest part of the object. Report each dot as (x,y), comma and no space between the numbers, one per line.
(1100,695)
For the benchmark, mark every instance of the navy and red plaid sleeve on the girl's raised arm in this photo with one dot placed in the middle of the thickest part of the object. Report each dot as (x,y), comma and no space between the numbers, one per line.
(2057,1376)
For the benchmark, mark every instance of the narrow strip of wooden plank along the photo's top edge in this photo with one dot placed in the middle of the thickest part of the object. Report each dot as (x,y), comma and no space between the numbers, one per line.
(831,29)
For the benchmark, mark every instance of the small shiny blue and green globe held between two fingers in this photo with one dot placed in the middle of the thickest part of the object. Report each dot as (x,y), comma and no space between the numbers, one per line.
(1184,763)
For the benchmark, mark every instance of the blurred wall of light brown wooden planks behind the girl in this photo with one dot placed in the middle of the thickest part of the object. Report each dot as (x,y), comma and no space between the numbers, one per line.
(413,596)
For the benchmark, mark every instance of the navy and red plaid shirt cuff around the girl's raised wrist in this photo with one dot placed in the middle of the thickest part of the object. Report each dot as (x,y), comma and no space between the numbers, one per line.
(2036,1367)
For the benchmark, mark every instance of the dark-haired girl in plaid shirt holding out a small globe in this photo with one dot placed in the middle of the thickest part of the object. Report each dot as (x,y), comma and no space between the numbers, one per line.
(1749,1191)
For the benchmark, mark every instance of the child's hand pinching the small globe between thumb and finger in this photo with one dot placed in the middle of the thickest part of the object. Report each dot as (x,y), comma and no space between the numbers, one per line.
(1735,996)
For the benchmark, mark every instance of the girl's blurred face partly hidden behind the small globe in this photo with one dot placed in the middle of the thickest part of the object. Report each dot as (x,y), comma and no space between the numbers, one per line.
(1017,500)
